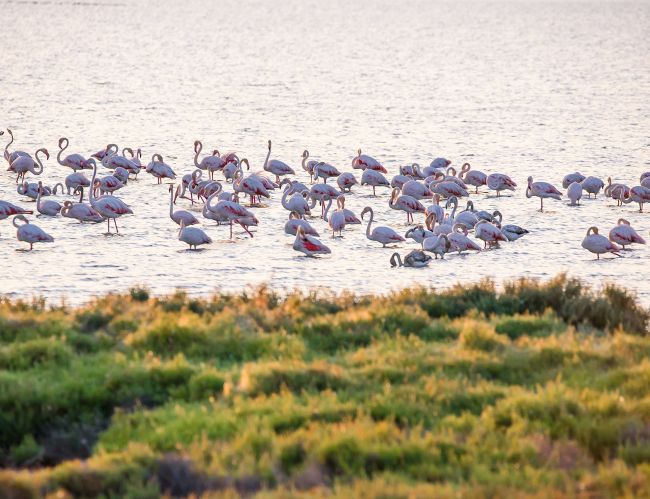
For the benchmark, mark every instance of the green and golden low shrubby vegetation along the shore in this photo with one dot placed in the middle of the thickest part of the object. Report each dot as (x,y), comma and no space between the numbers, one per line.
(541,390)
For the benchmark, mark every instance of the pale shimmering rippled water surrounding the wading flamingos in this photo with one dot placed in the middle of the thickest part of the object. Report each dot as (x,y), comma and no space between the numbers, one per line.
(520,87)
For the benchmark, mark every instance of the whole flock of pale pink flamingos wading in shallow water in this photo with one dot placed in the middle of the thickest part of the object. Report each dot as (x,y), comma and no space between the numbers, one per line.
(432,193)
